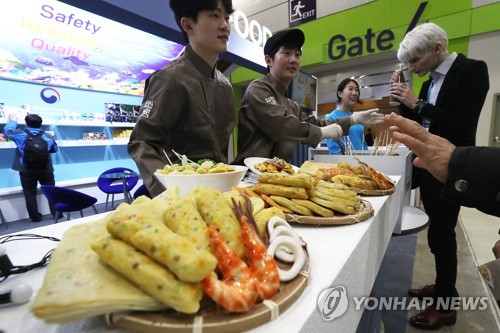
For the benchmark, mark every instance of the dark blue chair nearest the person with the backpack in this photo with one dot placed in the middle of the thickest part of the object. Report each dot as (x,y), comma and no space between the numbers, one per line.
(66,200)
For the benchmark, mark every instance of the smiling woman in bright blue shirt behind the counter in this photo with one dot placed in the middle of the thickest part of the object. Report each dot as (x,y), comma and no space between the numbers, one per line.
(348,96)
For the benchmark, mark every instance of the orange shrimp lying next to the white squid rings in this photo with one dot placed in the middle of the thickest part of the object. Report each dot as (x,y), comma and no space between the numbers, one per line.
(263,267)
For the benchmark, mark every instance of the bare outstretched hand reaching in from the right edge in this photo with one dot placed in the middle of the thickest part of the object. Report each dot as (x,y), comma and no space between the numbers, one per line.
(433,152)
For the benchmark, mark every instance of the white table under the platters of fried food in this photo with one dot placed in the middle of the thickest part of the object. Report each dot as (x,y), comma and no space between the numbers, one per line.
(347,256)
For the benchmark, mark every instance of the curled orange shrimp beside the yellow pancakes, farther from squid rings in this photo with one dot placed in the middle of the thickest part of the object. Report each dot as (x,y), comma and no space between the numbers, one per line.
(237,291)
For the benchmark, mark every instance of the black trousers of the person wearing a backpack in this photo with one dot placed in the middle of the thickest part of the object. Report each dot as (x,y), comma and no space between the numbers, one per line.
(29,182)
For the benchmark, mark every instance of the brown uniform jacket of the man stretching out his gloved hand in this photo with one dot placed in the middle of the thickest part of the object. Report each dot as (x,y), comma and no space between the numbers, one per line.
(270,124)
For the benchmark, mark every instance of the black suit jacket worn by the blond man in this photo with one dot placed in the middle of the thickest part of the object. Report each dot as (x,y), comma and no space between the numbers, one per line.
(459,103)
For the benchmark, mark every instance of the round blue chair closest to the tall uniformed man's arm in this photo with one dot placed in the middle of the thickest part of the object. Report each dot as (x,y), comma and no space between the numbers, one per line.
(112,182)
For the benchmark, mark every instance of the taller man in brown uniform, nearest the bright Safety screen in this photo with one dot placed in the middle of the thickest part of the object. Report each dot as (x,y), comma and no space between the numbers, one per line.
(188,106)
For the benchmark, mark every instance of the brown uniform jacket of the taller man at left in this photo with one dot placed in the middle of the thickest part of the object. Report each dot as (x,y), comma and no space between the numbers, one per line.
(188,106)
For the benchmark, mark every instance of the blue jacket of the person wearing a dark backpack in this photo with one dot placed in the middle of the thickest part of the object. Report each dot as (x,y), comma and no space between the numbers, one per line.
(19,137)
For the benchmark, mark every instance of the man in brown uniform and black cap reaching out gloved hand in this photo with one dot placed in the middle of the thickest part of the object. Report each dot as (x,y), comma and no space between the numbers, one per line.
(269,123)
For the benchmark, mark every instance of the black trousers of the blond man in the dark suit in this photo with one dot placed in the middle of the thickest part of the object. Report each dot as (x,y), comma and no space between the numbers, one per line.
(441,235)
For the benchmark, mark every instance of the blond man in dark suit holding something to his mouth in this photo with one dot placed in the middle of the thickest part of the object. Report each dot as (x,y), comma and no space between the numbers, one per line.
(450,101)
